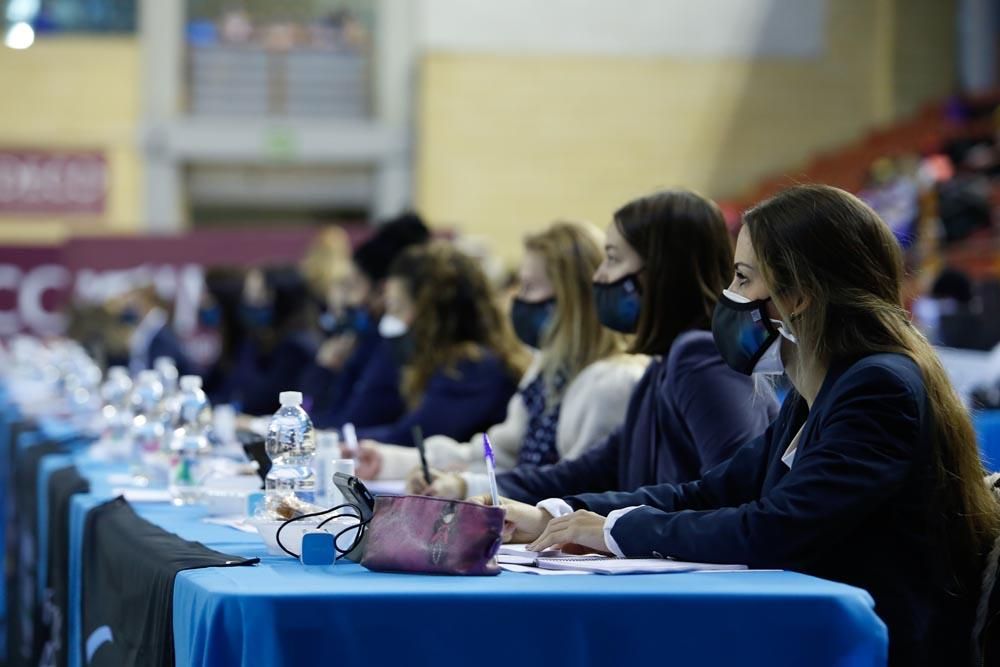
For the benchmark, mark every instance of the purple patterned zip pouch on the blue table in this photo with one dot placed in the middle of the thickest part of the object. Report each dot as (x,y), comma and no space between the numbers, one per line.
(433,535)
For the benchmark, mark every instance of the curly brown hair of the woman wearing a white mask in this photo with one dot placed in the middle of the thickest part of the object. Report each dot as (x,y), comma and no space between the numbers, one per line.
(458,316)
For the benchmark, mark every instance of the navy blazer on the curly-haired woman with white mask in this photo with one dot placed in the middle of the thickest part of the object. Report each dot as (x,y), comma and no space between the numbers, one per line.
(457,402)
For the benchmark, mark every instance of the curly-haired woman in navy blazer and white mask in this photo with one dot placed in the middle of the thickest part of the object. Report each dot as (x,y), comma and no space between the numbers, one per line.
(459,357)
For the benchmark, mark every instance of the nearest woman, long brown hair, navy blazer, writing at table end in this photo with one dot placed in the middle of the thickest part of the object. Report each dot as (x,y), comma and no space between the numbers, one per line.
(869,476)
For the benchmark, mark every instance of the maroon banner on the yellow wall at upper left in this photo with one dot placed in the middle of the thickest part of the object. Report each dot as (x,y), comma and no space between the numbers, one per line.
(37,182)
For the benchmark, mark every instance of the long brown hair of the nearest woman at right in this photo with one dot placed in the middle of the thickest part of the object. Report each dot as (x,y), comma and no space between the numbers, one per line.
(826,245)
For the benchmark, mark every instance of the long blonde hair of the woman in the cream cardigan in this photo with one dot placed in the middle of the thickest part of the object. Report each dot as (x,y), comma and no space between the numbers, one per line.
(574,338)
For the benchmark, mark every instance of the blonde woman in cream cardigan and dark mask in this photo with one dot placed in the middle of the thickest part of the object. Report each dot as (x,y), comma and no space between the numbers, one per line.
(571,397)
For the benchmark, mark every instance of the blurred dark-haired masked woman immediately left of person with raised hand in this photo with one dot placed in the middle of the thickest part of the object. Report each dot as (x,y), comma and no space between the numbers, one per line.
(277,318)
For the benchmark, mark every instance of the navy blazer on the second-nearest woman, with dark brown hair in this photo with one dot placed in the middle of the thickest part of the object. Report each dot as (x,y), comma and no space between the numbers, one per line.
(689,412)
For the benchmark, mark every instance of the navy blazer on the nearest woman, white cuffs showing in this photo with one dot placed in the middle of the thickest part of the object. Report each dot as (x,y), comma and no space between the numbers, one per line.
(858,506)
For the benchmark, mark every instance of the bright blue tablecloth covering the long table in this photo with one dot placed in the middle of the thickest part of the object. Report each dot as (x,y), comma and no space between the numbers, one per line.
(281,612)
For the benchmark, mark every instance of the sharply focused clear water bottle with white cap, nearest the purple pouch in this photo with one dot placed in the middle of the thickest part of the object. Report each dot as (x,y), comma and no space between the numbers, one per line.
(290,447)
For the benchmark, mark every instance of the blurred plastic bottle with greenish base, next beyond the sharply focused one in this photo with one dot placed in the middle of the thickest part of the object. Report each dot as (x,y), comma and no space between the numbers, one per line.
(189,440)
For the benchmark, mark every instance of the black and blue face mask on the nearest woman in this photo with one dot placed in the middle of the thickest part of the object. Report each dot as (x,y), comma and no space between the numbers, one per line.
(746,337)
